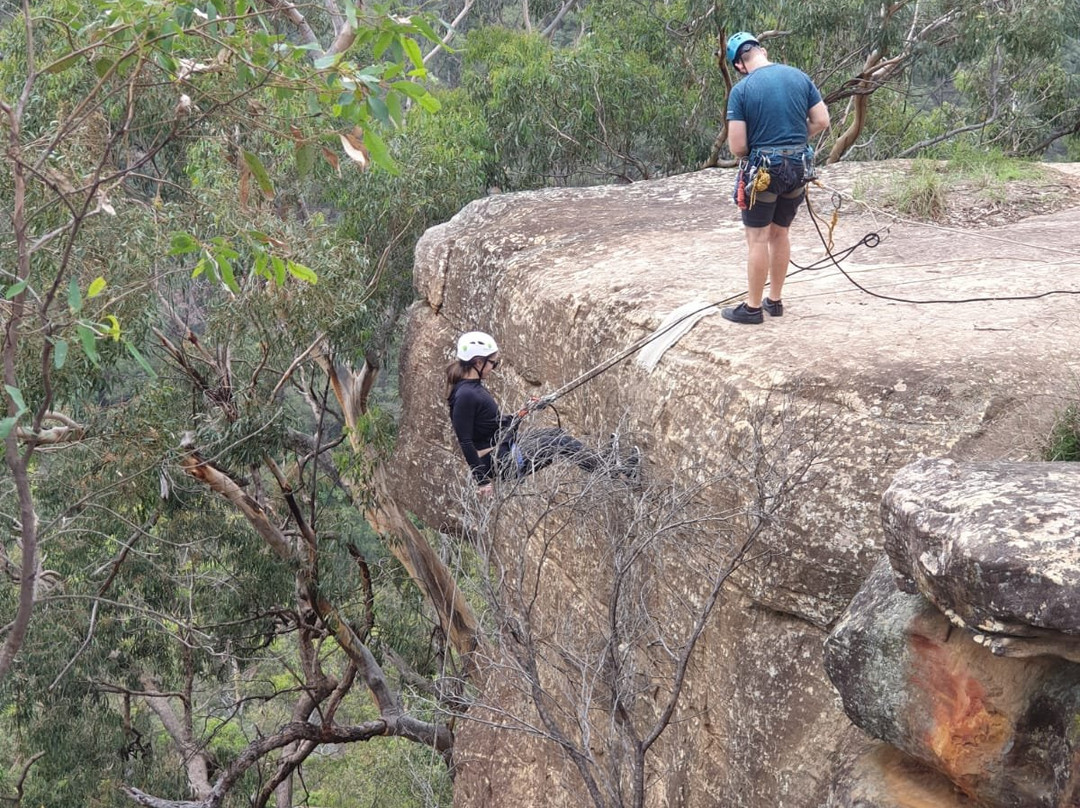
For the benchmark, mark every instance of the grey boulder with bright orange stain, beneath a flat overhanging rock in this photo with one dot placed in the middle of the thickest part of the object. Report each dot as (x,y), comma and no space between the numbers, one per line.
(1003,731)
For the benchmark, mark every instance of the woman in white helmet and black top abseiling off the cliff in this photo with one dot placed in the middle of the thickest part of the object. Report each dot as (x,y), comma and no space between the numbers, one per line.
(491,442)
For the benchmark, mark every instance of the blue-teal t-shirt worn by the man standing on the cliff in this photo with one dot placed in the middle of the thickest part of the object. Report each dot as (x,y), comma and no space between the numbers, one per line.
(775,102)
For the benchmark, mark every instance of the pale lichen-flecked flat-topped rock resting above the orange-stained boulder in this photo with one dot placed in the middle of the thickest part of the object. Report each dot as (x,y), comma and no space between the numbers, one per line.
(995,546)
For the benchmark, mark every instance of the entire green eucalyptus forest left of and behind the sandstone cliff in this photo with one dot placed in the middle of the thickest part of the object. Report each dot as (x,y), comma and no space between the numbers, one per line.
(208,594)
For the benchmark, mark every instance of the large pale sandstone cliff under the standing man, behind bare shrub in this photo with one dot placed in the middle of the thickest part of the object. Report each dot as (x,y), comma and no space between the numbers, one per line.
(566,278)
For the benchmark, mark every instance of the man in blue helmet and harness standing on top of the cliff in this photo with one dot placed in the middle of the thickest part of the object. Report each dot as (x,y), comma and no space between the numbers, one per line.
(773,114)
